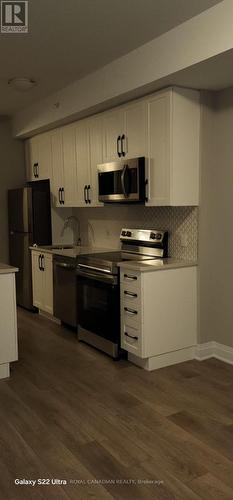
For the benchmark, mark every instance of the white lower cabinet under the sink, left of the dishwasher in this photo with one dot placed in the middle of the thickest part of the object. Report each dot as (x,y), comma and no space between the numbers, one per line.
(42,281)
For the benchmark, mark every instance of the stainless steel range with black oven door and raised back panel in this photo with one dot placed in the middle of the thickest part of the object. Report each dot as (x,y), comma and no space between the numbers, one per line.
(98,297)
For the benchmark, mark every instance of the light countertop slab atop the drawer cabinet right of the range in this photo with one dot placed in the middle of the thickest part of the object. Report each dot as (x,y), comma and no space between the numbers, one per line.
(156,264)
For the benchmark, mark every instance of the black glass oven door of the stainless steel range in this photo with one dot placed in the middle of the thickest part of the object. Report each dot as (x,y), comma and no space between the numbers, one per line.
(98,298)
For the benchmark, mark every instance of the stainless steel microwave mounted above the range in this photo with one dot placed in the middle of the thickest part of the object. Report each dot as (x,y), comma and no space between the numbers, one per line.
(122,181)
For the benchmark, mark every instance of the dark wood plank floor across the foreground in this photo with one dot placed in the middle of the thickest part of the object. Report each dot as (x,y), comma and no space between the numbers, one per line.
(70,412)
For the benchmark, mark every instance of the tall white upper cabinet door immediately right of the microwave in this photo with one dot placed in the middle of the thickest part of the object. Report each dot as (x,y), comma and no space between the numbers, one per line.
(159,149)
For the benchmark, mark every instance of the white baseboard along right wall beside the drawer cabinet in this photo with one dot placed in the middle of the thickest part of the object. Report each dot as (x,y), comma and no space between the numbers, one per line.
(214,350)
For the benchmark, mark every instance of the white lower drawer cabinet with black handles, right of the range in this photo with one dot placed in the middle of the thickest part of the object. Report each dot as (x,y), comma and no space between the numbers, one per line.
(158,311)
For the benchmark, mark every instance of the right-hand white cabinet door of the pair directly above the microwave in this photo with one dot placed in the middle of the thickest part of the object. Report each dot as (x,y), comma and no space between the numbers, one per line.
(134,144)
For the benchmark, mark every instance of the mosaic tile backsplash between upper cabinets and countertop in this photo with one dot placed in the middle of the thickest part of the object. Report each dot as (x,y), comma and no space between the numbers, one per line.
(100,227)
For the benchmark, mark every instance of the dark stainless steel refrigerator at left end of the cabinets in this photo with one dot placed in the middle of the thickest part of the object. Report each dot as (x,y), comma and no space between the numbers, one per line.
(29,215)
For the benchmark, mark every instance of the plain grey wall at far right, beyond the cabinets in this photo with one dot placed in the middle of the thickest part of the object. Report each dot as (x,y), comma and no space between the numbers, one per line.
(216,220)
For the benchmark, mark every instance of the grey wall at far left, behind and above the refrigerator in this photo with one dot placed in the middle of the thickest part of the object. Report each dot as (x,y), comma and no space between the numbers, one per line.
(12,175)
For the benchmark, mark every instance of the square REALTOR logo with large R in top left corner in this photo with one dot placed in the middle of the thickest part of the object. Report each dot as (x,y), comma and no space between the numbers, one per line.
(14,16)
